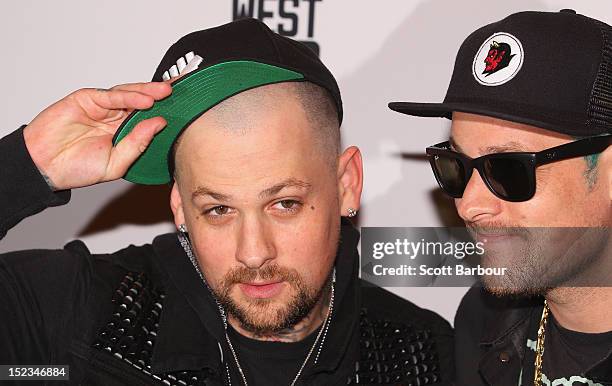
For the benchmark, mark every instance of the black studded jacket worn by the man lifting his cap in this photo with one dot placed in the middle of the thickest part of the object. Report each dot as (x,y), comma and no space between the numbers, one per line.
(142,315)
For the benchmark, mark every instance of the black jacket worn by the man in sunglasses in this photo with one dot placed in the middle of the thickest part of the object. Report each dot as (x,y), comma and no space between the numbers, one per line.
(490,339)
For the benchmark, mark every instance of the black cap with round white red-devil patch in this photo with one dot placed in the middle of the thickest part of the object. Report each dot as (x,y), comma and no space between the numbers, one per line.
(547,69)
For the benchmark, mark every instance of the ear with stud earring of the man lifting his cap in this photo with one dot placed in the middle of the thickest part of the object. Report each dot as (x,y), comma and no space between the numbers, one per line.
(350,179)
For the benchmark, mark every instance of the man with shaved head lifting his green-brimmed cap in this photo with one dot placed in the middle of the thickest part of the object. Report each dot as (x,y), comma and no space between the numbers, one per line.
(259,285)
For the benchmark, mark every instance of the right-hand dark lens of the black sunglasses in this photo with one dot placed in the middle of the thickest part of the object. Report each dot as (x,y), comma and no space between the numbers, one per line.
(509,178)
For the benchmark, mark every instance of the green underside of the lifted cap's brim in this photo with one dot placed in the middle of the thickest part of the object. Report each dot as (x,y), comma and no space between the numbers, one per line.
(193,95)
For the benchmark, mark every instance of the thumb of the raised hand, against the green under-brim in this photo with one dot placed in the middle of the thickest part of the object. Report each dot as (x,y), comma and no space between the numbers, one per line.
(132,146)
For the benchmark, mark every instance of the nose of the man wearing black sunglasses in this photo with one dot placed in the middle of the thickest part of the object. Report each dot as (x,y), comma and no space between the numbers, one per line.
(478,202)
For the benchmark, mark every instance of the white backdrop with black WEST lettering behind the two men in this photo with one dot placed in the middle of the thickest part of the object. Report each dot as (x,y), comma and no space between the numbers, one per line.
(380,51)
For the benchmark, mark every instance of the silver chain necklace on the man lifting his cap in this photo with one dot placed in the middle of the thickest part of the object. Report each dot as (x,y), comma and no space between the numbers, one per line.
(184,240)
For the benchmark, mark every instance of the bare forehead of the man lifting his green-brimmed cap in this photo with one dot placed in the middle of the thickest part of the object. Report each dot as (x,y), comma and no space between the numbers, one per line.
(249,146)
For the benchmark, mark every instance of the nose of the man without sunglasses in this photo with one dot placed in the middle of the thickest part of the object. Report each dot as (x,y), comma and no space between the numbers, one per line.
(255,243)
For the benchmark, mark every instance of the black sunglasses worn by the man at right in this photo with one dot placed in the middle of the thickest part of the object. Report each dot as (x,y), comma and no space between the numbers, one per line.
(510,176)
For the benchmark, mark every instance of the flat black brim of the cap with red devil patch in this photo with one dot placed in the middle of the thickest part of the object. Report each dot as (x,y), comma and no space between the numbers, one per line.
(528,116)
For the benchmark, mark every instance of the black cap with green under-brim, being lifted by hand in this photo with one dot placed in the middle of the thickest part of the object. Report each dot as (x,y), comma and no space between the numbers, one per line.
(218,63)
